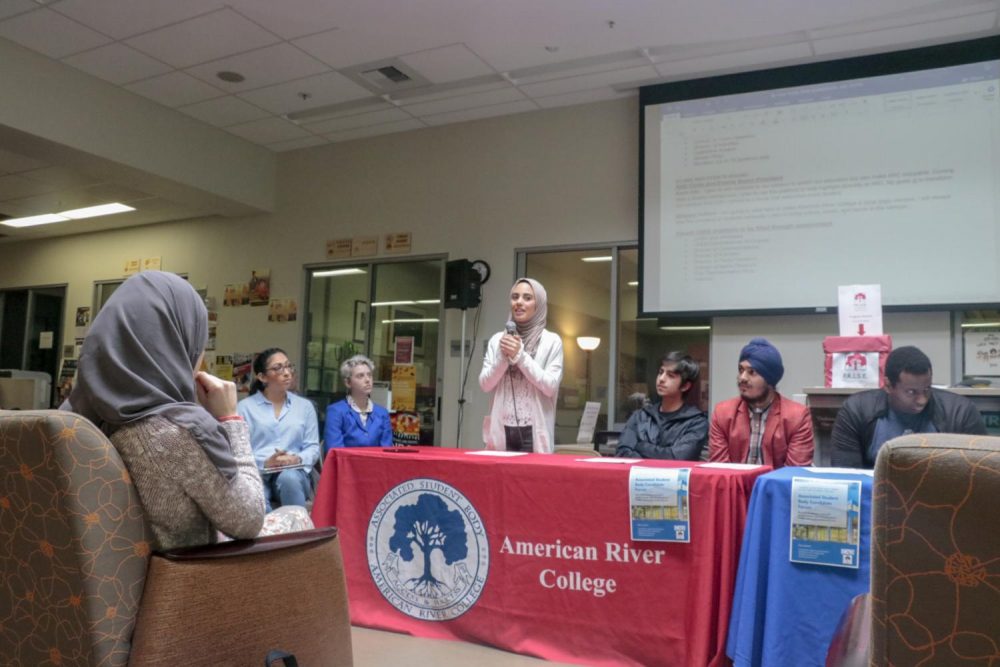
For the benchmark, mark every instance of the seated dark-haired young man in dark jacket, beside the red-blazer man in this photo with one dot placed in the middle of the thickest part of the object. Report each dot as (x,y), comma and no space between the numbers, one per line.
(669,428)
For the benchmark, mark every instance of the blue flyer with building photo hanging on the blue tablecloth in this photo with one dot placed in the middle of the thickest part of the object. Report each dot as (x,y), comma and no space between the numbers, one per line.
(825,522)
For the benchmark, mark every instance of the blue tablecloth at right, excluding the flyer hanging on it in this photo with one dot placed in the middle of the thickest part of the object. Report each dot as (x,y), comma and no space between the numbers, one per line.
(785,613)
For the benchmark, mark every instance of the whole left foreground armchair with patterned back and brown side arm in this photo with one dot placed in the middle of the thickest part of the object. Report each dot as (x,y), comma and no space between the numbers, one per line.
(79,584)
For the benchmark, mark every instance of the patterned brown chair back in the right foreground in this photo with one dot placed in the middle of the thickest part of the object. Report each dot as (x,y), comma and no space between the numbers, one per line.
(936,551)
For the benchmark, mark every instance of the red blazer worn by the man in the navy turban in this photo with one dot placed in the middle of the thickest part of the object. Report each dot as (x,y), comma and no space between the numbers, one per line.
(788,438)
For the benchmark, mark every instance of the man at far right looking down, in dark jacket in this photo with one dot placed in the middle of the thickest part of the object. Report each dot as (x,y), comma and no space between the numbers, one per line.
(907,404)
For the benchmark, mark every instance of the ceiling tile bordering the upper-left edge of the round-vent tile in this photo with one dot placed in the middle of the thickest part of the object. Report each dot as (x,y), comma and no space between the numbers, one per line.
(209,37)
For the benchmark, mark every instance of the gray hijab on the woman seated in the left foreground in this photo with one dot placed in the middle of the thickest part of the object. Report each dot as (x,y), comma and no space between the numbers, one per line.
(138,361)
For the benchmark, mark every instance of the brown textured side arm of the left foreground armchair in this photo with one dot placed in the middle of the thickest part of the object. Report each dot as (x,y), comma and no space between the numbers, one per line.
(232,603)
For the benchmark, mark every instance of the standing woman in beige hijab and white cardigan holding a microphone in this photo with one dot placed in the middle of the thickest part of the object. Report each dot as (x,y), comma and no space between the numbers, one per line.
(523,369)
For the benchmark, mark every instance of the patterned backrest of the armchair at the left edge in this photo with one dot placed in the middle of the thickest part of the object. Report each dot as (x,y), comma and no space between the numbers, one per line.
(74,546)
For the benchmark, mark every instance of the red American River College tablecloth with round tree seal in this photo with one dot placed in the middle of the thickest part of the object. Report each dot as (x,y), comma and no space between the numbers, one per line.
(521,553)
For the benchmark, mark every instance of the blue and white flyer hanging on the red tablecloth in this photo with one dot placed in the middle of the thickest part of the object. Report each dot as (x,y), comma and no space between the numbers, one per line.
(658,500)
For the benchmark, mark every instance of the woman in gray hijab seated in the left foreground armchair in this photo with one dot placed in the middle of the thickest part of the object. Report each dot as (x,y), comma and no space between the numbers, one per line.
(175,427)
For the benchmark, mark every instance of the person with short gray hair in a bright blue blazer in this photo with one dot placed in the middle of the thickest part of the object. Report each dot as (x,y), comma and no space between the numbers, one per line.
(357,421)
